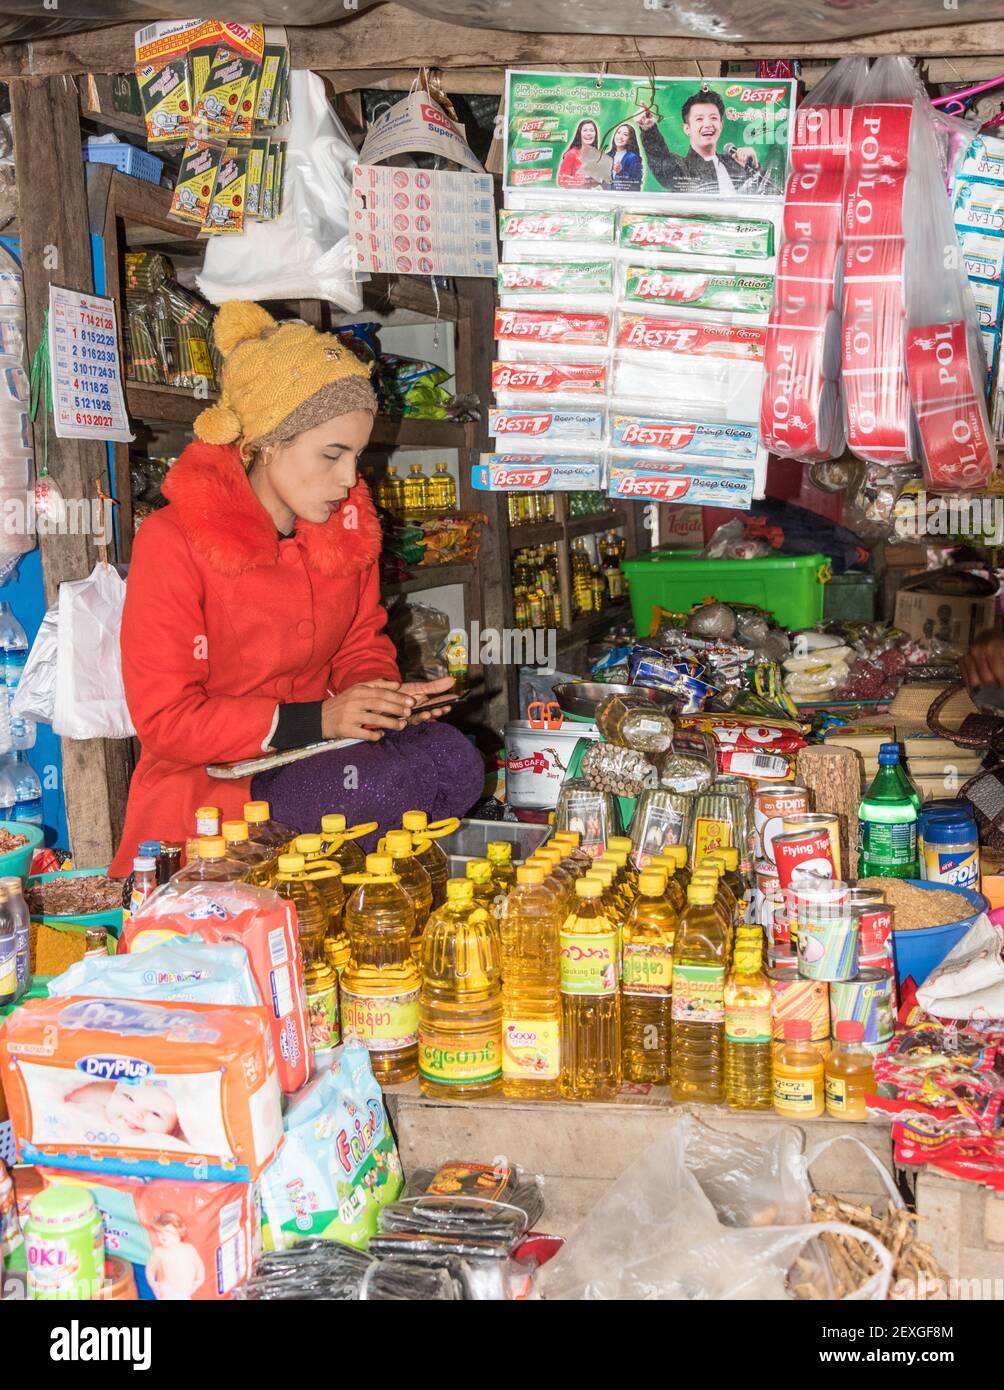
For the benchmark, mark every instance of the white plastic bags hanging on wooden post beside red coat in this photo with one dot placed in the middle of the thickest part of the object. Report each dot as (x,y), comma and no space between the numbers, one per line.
(90,696)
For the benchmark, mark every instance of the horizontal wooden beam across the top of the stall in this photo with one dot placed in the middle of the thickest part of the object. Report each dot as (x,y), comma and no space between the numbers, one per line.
(390,37)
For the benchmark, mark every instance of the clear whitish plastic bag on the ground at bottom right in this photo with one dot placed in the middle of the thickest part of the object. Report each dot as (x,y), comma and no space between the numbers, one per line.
(702,1217)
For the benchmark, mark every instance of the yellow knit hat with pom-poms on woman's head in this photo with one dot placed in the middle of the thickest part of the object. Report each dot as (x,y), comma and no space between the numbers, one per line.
(279,380)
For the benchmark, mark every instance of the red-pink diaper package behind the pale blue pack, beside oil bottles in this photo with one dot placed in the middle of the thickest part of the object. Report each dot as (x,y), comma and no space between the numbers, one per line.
(265,925)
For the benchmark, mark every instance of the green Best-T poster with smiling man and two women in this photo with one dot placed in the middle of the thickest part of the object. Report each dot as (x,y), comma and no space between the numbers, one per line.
(689,137)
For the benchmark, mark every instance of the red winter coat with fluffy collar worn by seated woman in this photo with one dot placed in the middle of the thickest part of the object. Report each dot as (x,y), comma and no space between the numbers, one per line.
(223,622)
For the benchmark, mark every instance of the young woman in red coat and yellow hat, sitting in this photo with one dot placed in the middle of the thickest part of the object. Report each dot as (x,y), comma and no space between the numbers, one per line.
(252,614)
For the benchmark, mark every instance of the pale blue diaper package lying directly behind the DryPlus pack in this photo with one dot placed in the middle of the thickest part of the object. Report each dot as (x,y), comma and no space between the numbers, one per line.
(183,971)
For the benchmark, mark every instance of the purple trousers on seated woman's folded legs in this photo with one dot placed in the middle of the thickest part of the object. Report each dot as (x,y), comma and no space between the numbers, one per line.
(430,768)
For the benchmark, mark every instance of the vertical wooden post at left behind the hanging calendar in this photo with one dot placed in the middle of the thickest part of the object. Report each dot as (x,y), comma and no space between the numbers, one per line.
(56,247)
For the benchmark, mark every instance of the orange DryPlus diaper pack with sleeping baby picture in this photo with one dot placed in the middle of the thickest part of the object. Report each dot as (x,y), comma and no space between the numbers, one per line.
(145,1089)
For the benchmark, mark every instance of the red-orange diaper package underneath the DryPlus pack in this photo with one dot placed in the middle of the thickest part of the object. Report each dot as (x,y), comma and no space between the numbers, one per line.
(184,1241)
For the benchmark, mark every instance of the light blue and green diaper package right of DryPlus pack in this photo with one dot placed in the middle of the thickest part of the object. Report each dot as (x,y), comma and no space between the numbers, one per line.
(339,1166)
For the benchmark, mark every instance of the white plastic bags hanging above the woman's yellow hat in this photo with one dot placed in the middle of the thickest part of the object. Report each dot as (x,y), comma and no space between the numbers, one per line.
(305,252)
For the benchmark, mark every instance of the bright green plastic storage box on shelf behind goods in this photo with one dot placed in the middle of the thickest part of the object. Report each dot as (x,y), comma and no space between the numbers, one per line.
(791,587)
